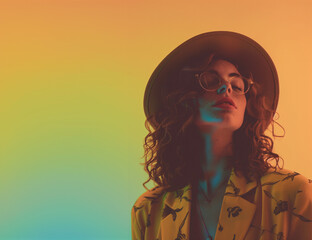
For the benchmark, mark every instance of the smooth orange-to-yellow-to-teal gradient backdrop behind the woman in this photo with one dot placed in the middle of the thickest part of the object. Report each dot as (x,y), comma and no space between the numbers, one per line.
(73,75)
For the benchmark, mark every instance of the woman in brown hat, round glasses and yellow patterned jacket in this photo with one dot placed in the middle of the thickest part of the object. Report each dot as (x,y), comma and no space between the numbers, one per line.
(209,103)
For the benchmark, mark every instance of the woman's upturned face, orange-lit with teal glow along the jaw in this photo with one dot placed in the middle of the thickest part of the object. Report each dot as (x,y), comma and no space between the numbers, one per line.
(221,116)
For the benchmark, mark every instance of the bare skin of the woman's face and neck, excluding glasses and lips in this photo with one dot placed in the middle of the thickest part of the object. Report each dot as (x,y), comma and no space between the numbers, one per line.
(218,125)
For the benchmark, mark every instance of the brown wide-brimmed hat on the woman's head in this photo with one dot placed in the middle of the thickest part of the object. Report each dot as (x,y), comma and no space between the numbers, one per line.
(245,52)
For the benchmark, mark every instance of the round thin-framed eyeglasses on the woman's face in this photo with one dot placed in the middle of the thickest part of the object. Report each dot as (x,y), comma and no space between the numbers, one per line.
(211,81)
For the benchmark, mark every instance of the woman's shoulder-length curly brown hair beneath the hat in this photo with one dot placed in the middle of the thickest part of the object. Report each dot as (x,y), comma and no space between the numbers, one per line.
(173,149)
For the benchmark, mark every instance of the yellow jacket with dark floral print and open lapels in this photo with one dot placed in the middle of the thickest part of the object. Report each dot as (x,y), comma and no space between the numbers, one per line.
(281,210)
